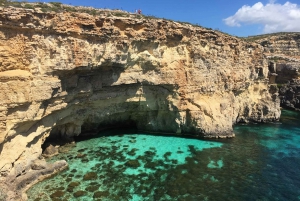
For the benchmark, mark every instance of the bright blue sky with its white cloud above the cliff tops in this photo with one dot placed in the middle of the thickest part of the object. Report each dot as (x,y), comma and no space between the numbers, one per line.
(236,17)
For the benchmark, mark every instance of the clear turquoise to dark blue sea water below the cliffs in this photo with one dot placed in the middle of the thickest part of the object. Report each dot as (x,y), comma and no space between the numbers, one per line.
(261,163)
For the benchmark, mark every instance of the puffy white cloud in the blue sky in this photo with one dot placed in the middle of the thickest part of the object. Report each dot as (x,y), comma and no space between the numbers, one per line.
(273,16)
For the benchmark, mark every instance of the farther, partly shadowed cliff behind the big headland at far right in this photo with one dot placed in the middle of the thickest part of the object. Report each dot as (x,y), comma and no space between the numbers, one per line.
(283,51)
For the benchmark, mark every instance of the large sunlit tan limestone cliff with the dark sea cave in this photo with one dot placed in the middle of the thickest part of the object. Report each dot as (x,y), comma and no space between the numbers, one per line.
(65,74)
